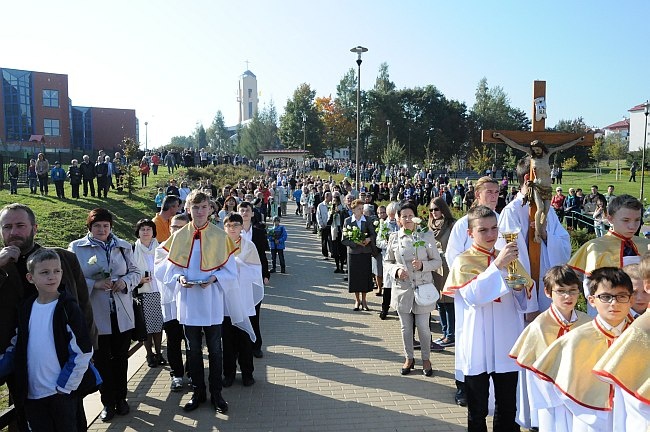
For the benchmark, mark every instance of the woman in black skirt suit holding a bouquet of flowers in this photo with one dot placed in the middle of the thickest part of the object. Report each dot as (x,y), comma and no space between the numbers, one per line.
(359,255)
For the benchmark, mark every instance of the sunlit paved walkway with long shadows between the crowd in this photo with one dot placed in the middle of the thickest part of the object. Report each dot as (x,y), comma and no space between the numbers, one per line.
(325,368)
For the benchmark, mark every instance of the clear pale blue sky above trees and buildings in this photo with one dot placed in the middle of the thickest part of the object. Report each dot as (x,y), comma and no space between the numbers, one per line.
(178,63)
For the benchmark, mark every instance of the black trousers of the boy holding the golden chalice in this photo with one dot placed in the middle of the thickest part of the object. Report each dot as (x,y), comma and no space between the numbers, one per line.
(477,390)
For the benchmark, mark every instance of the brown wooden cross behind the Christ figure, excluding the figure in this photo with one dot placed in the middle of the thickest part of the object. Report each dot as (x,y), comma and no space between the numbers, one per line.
(549,138)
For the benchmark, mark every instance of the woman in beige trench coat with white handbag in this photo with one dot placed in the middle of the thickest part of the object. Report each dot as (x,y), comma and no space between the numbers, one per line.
(411,258)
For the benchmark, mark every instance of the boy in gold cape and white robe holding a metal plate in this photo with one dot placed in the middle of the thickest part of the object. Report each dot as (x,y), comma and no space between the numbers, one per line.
(200,272)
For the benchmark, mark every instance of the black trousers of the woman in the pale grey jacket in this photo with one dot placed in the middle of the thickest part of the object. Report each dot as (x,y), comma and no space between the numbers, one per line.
(112,362)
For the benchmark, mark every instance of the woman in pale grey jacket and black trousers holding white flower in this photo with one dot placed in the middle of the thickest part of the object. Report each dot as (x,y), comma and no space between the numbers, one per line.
(107,264)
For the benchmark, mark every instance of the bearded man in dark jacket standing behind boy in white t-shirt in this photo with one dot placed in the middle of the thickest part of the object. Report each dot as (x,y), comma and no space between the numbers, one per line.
(18,224)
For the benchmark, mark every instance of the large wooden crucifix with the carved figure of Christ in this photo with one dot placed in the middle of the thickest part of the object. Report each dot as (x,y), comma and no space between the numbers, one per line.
(540,145)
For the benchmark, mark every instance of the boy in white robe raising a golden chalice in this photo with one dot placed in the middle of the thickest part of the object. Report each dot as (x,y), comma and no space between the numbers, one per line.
(489,319)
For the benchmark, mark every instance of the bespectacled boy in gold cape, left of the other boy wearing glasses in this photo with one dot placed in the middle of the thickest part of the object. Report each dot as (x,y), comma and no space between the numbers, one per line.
(562,286)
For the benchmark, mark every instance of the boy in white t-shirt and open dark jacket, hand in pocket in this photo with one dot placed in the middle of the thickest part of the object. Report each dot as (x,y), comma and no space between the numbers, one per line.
(51,351)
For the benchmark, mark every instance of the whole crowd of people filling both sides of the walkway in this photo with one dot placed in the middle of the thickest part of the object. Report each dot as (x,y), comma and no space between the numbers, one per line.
(197,269)
